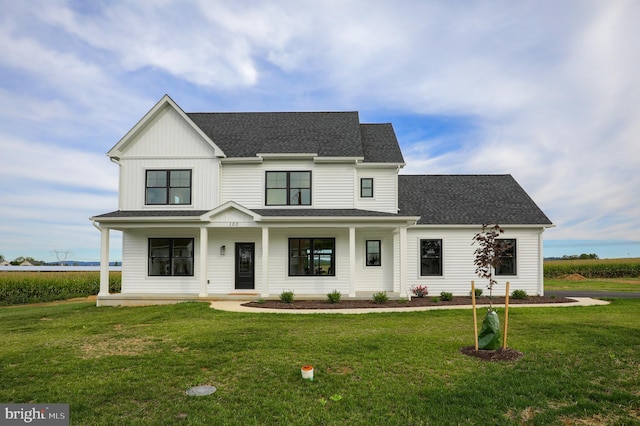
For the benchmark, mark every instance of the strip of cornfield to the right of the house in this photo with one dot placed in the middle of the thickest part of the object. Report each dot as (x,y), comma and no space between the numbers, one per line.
(593,268)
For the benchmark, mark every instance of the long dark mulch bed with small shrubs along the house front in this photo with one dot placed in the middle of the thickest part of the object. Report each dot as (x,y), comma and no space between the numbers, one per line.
(414,302)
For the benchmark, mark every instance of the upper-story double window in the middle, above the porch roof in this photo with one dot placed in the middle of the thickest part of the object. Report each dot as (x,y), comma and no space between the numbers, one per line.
(288,189)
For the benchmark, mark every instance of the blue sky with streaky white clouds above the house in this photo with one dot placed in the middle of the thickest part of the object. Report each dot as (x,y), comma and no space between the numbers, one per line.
(544,90)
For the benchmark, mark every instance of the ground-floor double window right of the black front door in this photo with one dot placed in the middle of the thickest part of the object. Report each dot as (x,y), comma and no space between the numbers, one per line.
(312,256)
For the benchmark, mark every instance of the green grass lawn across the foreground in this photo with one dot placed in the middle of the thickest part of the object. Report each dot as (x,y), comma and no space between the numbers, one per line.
(118,366)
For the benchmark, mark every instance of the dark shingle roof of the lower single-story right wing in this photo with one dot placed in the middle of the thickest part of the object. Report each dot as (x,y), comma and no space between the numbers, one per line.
(467,199)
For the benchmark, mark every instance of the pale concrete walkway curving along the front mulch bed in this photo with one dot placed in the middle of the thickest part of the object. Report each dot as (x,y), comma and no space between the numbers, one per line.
(236,306)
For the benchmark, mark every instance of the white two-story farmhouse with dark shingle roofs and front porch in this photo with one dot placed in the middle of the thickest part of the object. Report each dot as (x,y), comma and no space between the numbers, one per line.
(248,205)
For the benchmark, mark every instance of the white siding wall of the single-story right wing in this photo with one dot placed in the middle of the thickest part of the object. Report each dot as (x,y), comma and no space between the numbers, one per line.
(458,257)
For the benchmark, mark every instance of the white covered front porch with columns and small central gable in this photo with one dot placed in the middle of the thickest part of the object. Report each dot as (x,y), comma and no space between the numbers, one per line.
(264,262)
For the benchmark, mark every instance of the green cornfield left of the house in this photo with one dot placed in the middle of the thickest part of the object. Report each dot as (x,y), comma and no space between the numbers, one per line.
(32,287)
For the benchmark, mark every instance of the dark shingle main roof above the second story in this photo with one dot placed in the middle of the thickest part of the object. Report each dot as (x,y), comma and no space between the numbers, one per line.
(326,134)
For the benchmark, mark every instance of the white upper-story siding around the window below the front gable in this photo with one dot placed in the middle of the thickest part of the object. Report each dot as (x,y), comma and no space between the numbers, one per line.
(204,182)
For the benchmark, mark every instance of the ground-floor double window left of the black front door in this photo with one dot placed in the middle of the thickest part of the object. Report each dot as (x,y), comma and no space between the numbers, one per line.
(170,256)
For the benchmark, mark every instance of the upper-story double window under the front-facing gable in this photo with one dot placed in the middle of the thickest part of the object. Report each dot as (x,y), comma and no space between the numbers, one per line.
(168,187)
